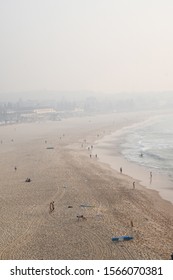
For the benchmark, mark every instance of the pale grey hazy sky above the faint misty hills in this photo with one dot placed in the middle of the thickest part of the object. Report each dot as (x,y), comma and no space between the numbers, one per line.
(99,45)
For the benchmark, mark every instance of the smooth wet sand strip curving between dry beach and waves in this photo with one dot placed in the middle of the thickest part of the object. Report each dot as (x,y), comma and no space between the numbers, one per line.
(111,154)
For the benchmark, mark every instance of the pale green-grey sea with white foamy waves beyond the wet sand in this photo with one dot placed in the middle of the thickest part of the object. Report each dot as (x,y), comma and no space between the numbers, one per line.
(151,145)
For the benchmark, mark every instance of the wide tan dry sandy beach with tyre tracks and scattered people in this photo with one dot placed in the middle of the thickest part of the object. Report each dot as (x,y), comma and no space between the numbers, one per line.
(56,157)
